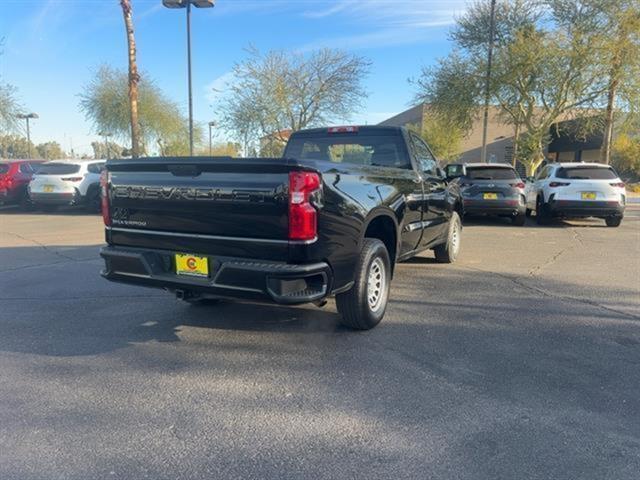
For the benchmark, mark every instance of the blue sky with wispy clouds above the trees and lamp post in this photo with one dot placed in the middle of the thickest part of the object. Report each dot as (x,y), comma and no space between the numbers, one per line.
(52,48)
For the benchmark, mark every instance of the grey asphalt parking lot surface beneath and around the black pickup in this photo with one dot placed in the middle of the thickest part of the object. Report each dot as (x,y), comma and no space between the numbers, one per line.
(522,361)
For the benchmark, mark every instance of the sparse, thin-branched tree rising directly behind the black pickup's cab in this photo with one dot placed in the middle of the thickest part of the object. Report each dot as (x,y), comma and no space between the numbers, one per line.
(282,91)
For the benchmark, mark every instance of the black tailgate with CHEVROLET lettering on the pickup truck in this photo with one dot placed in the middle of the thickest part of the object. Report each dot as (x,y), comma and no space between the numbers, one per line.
(222,206)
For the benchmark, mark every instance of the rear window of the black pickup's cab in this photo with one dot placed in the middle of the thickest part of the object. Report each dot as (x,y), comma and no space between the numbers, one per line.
(374,150)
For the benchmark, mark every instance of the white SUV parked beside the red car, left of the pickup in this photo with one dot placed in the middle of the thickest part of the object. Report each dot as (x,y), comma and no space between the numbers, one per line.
(67,182)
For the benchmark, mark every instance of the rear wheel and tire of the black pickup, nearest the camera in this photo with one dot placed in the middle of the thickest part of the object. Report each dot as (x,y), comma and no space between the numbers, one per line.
(363,306)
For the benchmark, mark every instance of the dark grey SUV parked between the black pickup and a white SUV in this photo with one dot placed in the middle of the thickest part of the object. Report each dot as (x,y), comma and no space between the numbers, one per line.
(490,189)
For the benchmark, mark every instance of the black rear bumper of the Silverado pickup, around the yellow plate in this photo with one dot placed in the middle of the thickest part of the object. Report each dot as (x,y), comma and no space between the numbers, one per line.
(230,277)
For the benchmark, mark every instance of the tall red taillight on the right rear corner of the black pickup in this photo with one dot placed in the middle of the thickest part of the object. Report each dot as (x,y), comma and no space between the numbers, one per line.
(303,221)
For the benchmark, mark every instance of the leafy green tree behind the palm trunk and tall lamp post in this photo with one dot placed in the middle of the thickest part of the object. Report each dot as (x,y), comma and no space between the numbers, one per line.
(105,102)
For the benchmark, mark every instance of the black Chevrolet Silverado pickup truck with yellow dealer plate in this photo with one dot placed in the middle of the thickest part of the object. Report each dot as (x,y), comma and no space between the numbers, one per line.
(330,218)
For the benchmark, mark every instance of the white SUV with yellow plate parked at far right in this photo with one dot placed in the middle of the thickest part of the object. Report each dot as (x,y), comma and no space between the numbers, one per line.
(577,190)
